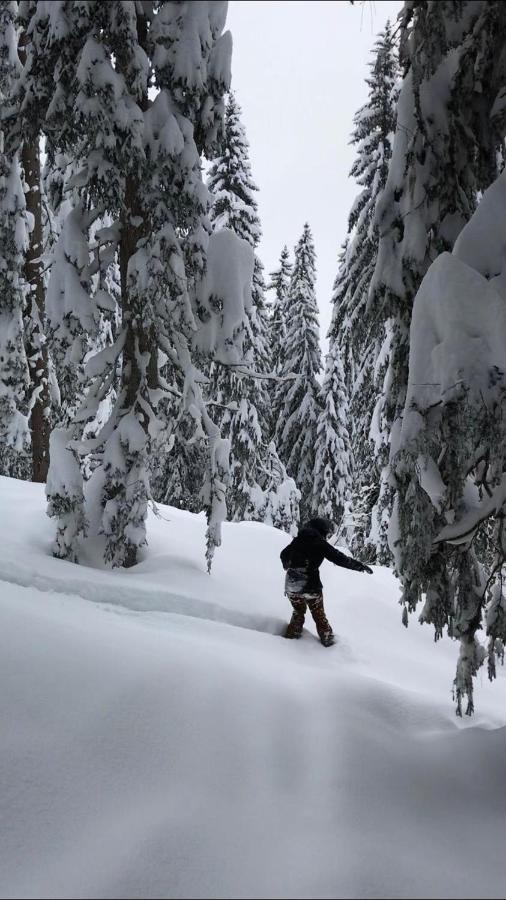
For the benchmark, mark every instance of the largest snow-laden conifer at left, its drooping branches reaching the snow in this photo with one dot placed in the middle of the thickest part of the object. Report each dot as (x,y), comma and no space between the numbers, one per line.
(139,162)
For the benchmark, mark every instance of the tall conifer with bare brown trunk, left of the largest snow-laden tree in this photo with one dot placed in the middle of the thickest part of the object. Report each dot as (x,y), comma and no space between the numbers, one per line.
(22,115)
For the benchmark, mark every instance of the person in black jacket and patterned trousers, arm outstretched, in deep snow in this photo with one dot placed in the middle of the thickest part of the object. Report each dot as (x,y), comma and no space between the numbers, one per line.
(301,561)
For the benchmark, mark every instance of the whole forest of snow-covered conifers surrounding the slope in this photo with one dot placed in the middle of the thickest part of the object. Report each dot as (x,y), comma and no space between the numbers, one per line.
(146,356)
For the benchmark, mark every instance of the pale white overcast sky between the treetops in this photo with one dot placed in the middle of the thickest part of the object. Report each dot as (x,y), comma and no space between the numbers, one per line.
(298,70)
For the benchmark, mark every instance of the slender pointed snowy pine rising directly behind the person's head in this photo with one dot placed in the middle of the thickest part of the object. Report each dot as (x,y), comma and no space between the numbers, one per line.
(300,400)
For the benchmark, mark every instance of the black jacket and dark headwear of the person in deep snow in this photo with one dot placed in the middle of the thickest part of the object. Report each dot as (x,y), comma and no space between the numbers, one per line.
(303,557)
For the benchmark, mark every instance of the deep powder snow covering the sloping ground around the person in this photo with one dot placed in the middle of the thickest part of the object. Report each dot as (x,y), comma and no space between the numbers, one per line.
(159,739)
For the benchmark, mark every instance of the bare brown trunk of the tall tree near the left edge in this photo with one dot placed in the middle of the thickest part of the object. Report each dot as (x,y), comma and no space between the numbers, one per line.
(34,315)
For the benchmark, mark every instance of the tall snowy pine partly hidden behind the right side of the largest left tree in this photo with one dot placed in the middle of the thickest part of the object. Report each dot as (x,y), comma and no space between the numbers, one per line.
(255,471)
